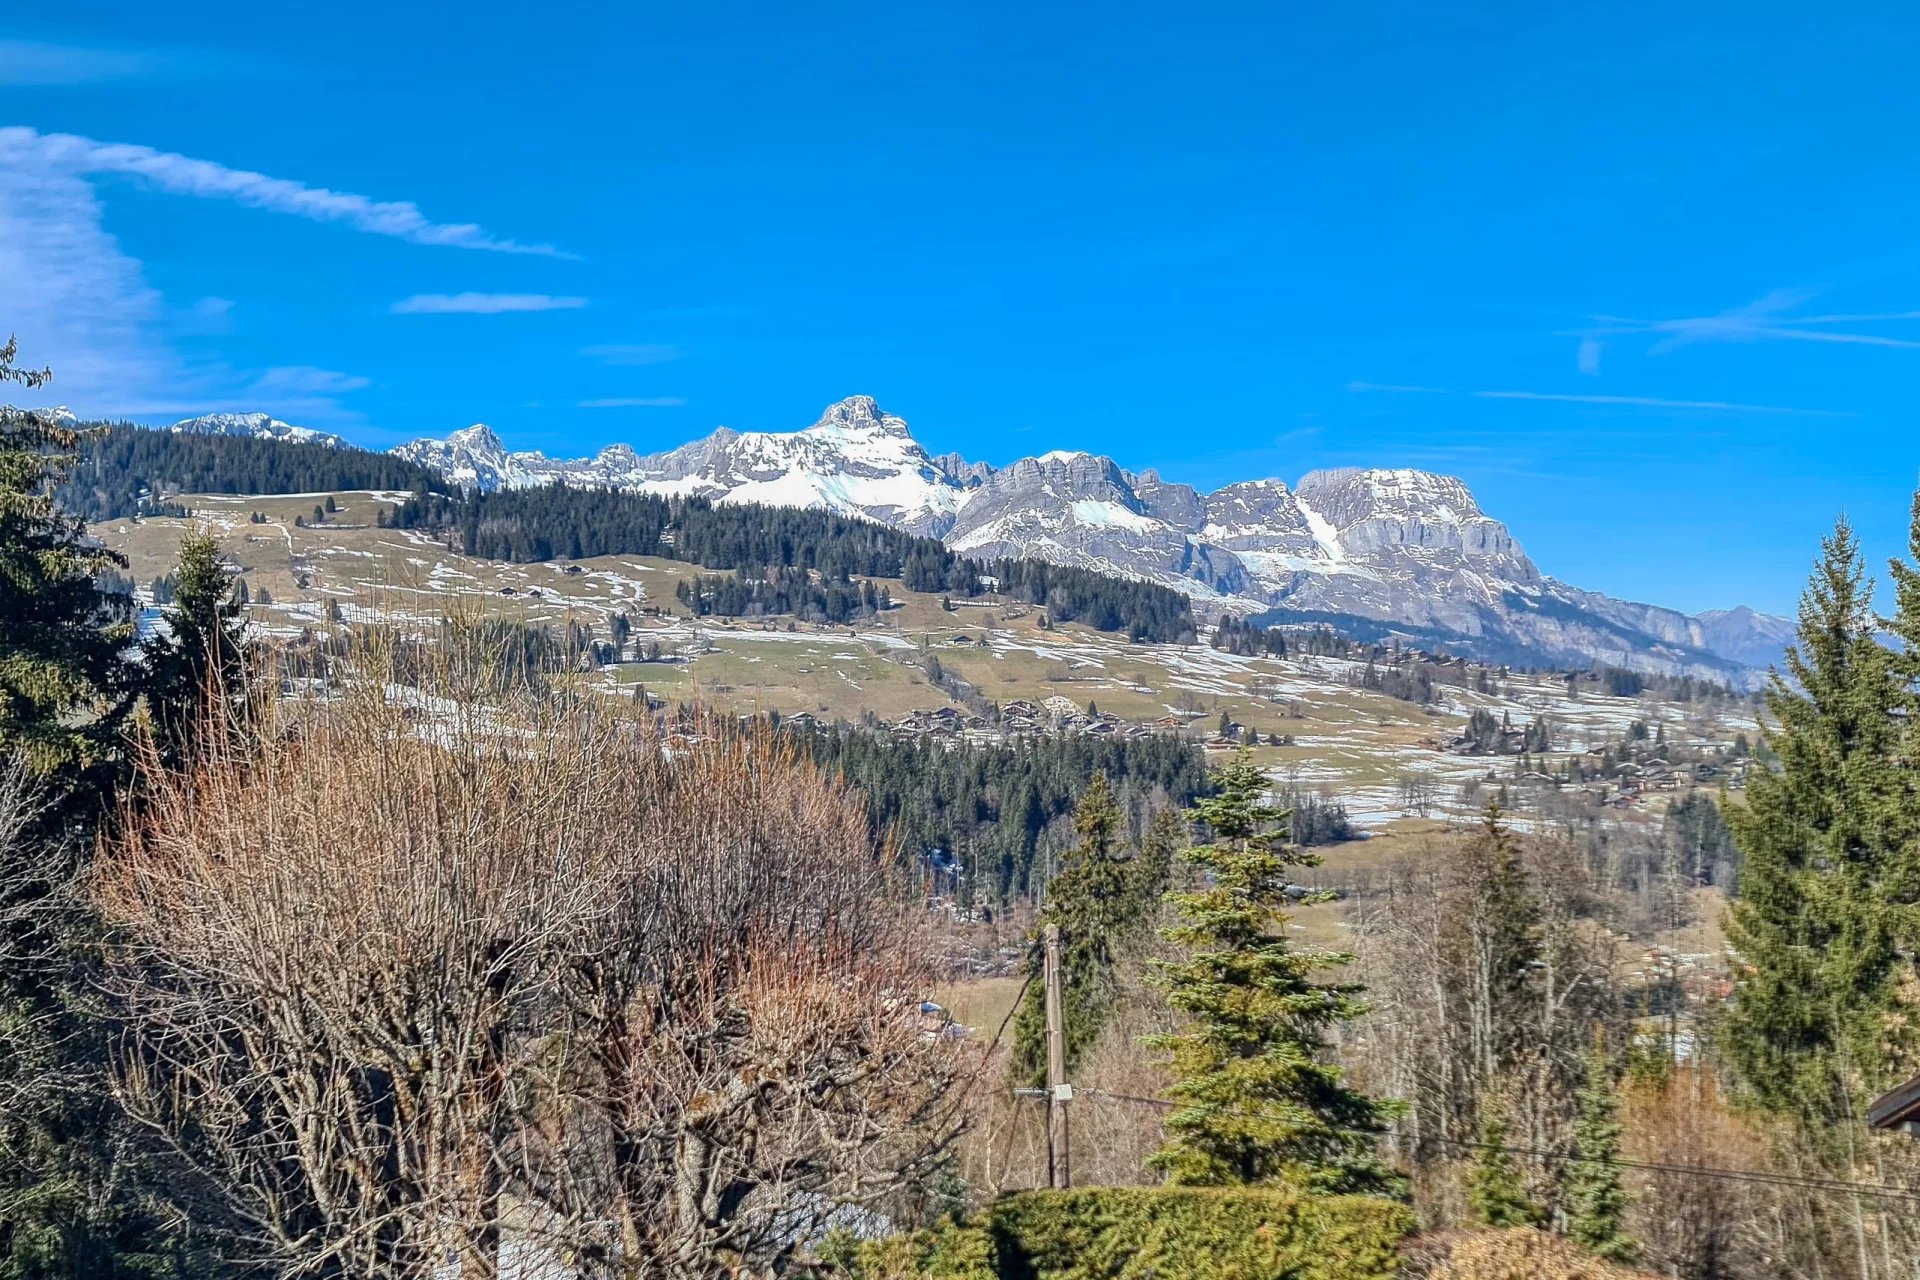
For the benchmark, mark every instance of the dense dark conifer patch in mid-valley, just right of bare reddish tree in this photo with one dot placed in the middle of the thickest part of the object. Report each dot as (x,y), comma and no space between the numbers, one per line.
(999,811)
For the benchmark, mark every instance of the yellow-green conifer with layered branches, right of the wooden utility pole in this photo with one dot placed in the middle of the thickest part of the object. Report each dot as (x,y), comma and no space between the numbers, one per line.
(1257,1101)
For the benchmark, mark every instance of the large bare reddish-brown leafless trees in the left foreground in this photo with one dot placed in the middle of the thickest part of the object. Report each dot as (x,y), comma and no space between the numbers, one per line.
(429,978)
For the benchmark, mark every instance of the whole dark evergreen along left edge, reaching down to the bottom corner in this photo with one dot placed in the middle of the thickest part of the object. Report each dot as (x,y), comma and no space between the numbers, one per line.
(72,1172)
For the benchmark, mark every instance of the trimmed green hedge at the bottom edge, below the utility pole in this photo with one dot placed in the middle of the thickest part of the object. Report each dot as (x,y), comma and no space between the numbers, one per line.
(1151,1235)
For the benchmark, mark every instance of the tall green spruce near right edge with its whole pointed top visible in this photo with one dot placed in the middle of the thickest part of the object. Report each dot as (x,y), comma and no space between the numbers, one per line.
(1815,924)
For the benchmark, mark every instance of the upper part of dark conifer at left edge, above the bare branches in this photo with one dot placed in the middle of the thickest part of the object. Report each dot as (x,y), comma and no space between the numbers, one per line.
(64,680)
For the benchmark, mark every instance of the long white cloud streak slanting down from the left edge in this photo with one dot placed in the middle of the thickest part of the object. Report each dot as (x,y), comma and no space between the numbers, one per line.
(183,176)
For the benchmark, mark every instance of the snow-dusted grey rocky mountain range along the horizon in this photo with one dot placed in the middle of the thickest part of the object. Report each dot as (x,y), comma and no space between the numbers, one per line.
(1374,550)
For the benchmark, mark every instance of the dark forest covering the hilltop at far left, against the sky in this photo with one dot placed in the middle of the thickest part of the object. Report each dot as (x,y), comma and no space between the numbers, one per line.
(130,471)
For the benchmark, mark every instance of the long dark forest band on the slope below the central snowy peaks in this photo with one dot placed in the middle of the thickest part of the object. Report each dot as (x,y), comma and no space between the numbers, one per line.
(565,523)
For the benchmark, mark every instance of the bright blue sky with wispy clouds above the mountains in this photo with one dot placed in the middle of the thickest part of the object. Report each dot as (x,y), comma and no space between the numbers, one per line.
(1644,275)
